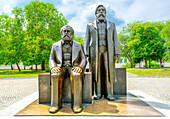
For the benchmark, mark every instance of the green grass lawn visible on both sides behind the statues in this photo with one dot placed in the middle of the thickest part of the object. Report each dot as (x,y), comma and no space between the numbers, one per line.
(7,73)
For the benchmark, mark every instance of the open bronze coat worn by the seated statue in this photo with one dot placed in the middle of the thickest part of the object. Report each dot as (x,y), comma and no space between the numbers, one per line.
(78,56)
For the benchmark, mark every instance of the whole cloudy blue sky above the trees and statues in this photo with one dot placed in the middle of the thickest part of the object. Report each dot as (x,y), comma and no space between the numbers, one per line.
(121,12)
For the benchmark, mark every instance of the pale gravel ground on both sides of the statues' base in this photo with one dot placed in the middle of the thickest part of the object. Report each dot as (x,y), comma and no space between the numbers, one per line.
(14,89)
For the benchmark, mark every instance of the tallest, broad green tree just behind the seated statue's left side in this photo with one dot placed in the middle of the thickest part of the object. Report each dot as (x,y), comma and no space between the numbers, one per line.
(43,28)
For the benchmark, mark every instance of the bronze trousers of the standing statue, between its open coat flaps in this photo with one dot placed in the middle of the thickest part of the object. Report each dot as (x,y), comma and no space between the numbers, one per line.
(103,86)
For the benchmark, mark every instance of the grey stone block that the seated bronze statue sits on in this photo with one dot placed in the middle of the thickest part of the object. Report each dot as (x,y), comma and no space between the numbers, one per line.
(45,89)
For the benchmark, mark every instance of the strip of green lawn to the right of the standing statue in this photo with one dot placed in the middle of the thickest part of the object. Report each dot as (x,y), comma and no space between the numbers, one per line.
(149,72)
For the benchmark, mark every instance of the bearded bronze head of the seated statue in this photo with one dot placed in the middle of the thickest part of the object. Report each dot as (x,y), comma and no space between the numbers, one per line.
(67,33)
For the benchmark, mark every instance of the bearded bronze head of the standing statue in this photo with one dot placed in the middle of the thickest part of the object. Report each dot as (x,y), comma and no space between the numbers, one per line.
(100,12)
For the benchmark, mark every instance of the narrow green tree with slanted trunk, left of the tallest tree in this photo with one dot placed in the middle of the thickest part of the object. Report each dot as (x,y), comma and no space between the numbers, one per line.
(15,46)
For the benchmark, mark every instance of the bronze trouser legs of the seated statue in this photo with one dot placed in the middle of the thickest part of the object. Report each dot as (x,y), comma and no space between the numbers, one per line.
(76,88)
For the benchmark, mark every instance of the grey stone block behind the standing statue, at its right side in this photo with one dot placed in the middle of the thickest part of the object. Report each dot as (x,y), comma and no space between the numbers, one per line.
(119,87)
